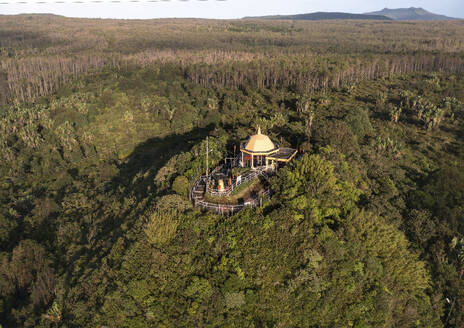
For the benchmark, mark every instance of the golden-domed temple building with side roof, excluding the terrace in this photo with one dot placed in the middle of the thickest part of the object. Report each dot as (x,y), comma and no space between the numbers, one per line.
(259,152)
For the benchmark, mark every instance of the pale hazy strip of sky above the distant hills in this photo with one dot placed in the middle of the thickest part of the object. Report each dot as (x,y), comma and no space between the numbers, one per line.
(220,9)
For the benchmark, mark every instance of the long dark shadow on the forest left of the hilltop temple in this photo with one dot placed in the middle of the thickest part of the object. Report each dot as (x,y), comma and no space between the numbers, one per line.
(135,179)
